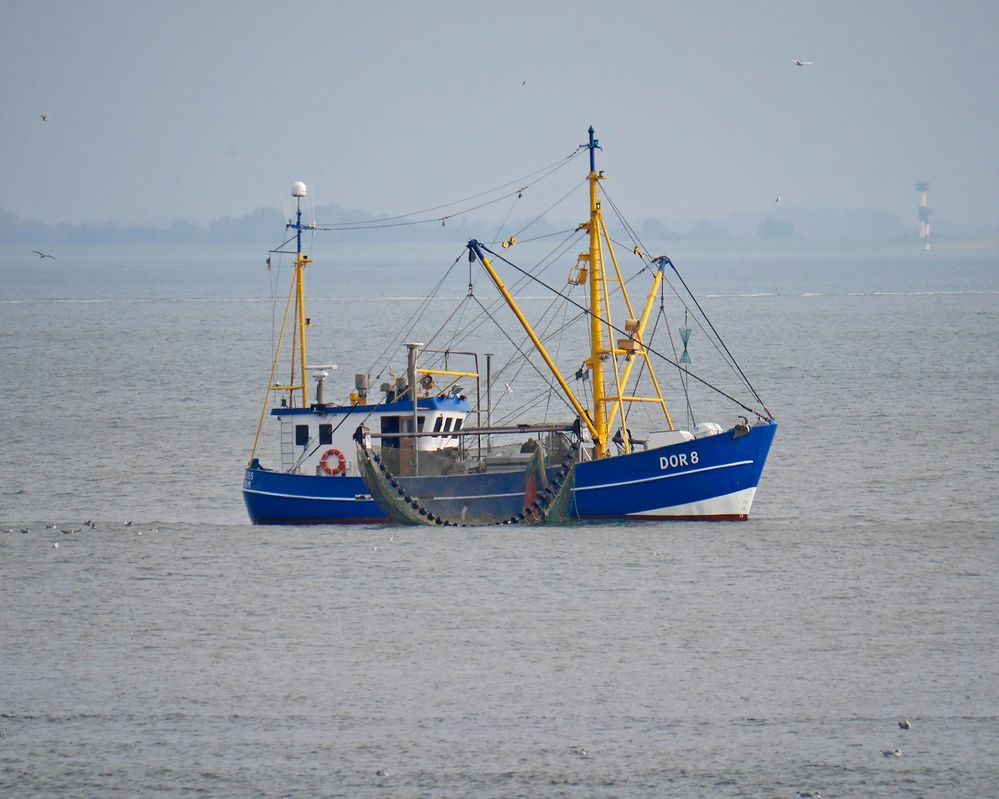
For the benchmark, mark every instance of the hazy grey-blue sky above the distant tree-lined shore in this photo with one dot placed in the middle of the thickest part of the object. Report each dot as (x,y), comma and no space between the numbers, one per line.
(197,110)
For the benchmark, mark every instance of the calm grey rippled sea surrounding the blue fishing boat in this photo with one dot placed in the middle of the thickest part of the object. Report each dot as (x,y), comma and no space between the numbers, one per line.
(189,653)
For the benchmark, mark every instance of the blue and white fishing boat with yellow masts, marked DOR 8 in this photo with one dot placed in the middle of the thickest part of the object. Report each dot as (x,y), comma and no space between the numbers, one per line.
(426,450)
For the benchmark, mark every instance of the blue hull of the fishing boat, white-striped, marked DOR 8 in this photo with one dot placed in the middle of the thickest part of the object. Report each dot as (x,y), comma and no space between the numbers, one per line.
(713,478)
